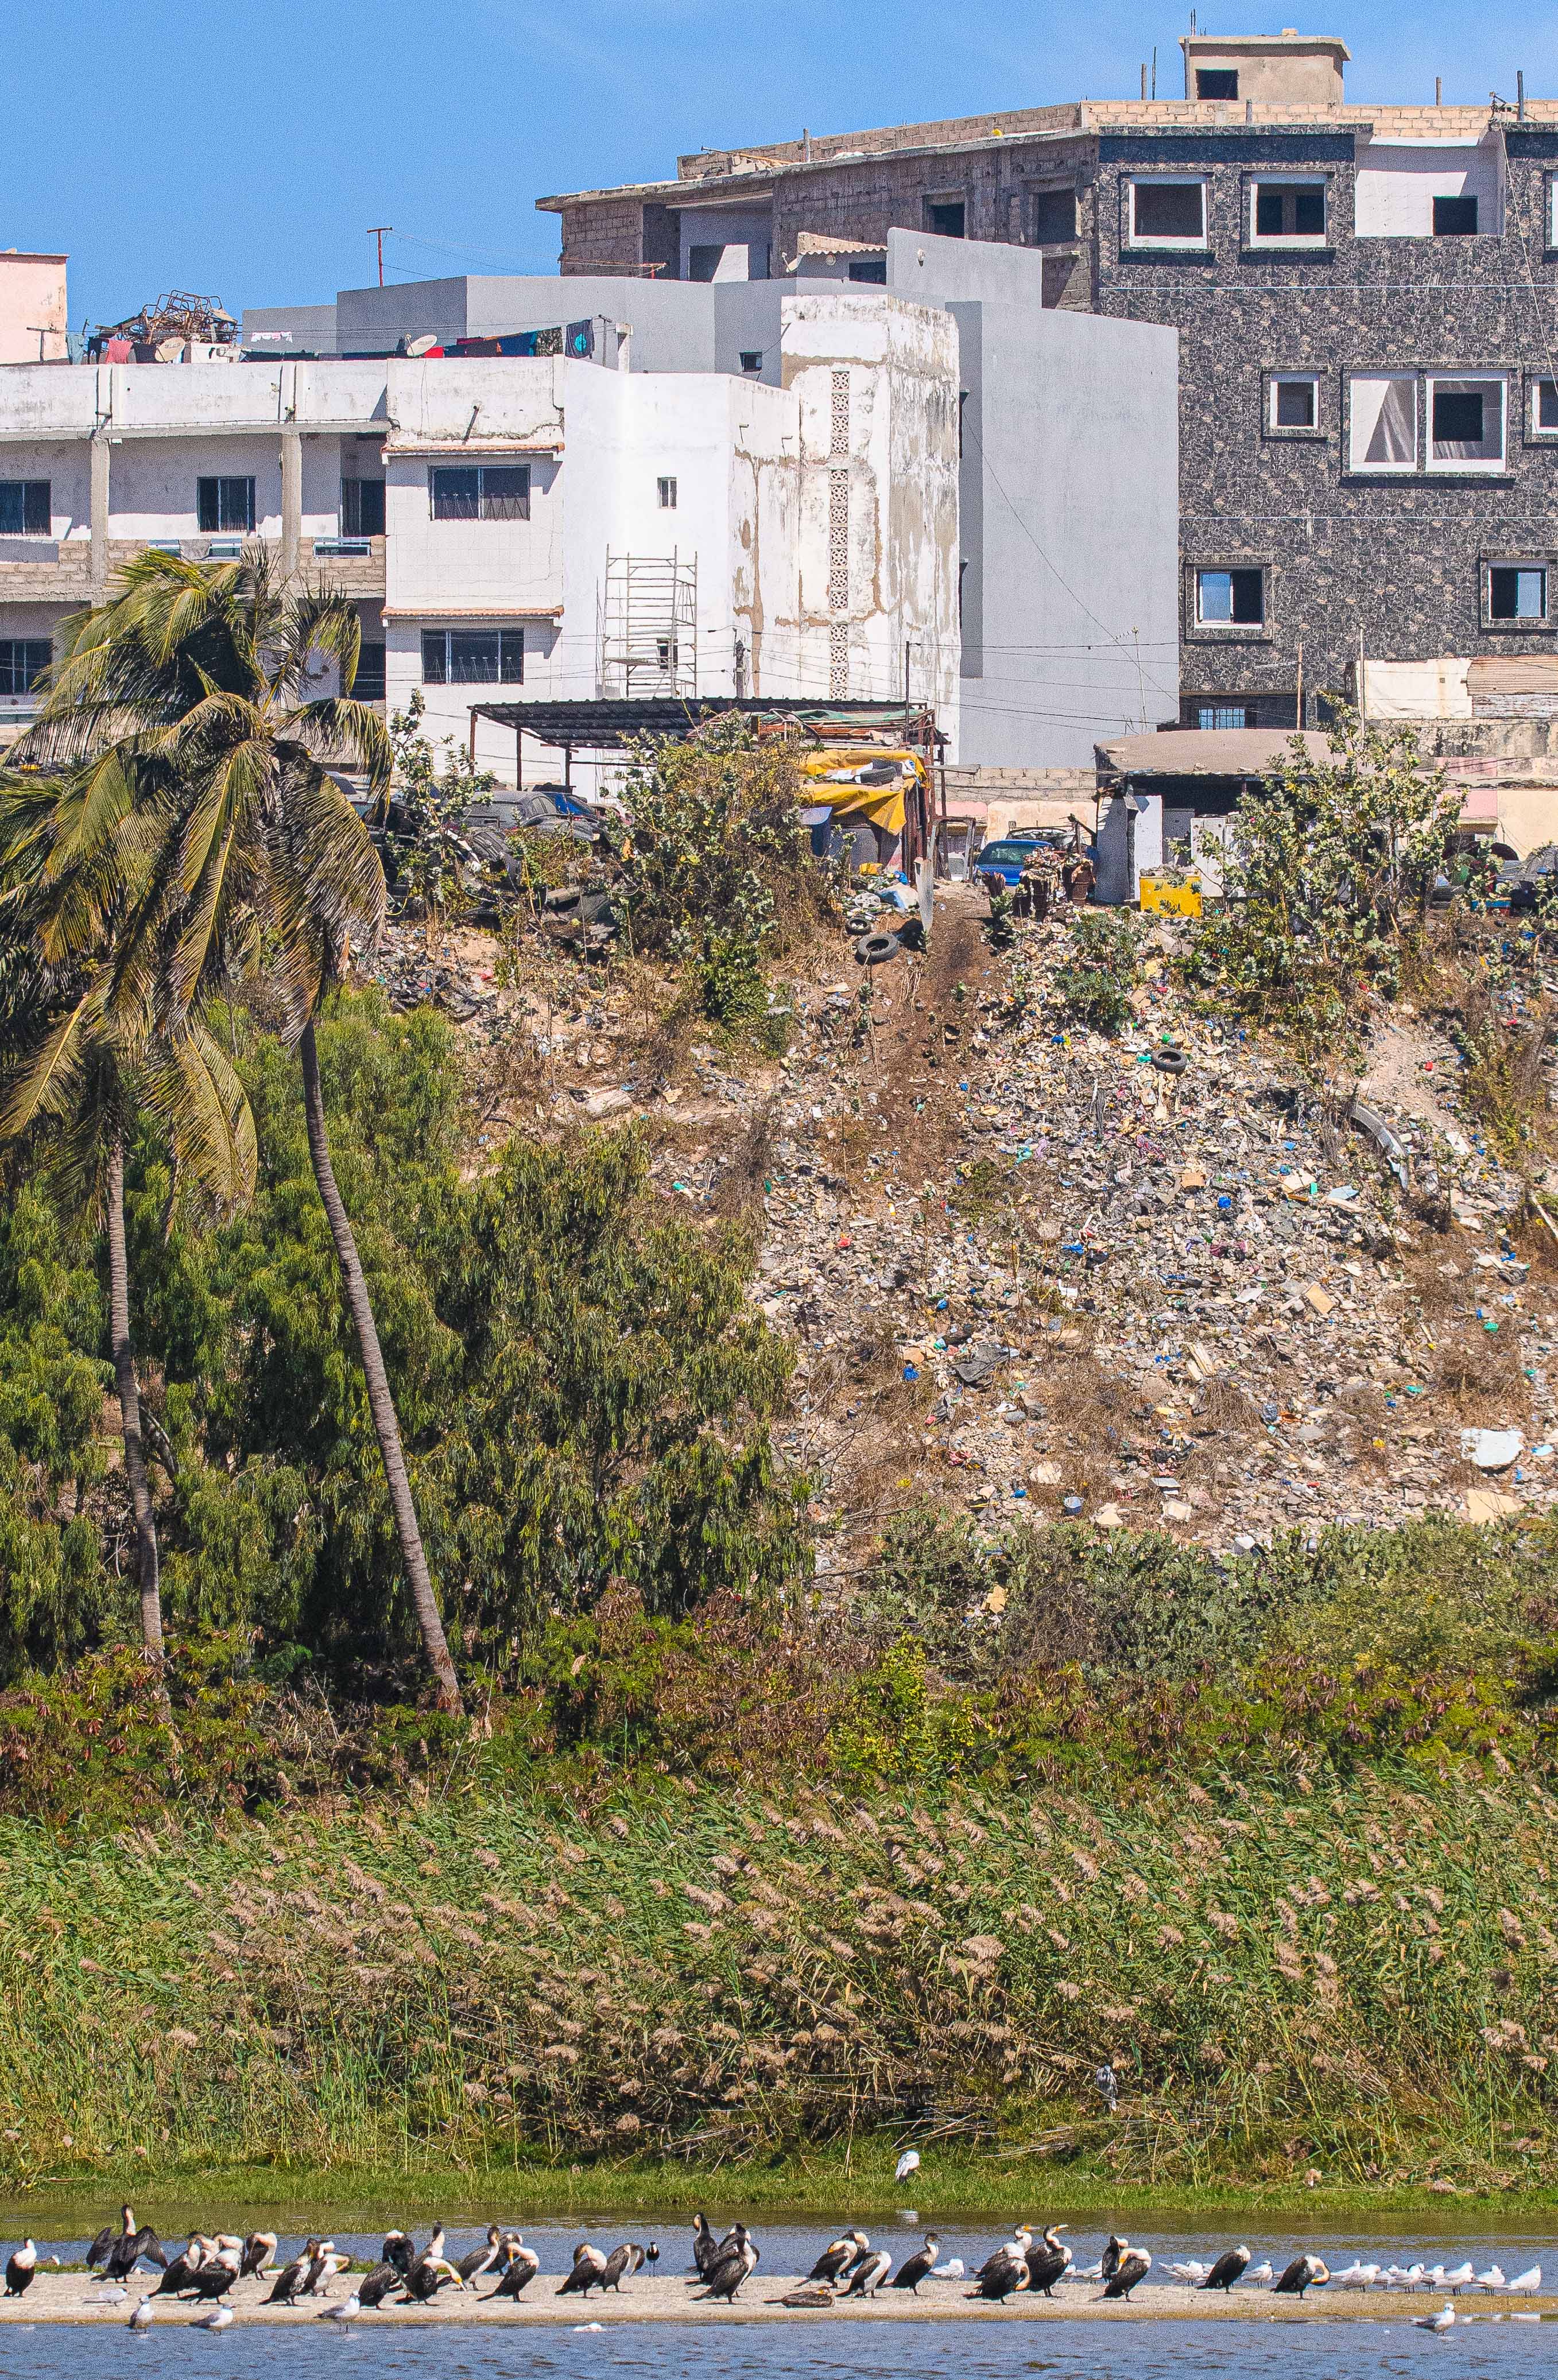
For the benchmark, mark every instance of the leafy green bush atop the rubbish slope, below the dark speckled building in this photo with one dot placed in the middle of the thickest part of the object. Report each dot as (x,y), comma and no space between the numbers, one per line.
(1328,870)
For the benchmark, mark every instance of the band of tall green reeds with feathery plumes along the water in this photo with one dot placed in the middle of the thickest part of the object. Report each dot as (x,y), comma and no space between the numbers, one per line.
(1357,1981)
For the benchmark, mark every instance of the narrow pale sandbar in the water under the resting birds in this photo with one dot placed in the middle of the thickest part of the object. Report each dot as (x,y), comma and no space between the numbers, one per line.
(73,2298)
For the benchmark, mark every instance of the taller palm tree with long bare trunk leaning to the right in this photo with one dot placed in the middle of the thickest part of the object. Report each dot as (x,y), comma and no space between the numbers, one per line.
(191,720)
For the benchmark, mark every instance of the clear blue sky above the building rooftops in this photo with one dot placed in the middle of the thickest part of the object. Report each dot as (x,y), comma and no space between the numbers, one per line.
(244,149)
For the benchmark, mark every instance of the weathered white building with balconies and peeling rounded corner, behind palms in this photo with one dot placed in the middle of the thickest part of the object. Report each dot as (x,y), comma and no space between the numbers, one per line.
(558,525)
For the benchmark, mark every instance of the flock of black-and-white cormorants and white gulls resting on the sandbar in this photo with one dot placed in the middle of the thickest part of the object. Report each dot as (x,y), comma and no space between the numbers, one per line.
(208,2269)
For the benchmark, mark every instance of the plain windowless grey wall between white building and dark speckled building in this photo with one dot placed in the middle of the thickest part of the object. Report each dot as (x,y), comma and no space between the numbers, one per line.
(1069,508)
